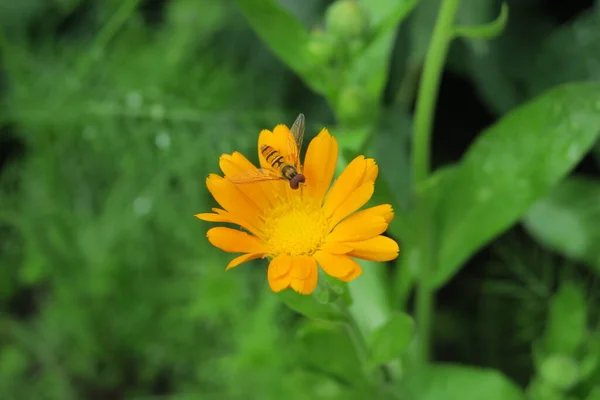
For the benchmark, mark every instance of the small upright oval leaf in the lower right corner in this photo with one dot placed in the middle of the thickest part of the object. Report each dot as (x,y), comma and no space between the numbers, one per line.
(567,321)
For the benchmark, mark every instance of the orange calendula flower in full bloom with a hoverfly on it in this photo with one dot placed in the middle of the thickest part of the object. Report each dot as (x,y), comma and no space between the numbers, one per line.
(300,229)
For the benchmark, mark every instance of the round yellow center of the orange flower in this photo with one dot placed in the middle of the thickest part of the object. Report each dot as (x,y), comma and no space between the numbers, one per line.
(295,227)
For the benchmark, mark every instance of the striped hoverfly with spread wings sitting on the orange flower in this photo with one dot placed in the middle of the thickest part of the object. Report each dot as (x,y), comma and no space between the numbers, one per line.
(282,168)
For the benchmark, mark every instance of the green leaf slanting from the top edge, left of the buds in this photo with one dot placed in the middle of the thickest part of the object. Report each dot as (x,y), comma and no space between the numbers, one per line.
(285,35)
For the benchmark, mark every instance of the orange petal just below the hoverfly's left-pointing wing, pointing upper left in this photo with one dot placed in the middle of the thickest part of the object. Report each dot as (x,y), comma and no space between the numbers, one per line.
(234,201)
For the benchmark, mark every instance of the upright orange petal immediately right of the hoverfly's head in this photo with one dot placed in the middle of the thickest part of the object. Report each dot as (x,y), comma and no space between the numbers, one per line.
(319,164)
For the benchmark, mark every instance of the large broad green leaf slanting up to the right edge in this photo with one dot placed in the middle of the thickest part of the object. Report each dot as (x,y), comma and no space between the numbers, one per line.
(510,166)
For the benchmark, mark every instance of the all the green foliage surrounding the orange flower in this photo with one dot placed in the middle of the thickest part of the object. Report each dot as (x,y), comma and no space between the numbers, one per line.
(114,112)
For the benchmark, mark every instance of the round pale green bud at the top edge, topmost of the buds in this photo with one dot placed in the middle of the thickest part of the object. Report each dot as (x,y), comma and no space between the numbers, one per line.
(347,19)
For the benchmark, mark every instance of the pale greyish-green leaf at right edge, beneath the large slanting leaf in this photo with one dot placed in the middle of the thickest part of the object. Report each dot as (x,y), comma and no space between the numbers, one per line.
(568,220)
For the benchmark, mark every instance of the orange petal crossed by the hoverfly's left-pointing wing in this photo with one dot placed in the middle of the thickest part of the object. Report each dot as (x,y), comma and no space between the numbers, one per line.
(236,164)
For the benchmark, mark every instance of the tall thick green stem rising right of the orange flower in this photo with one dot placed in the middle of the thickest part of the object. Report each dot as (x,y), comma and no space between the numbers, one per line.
(424,115)
